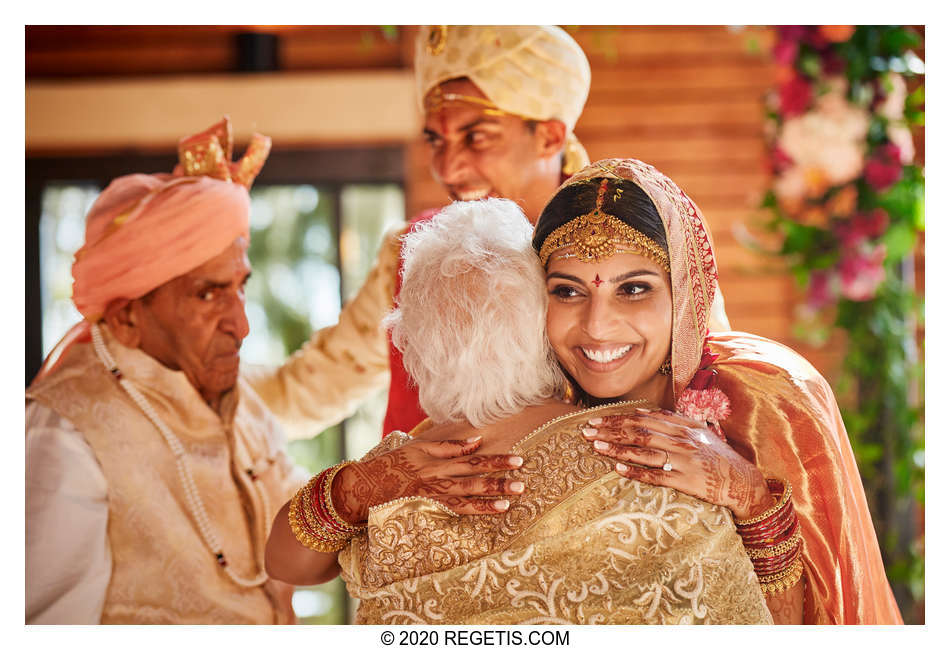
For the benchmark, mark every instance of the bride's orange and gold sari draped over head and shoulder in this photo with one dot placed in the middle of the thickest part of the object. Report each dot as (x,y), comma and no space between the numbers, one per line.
(784,417)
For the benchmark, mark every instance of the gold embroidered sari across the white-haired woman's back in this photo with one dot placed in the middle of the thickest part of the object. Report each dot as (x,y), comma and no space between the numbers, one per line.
(581,545)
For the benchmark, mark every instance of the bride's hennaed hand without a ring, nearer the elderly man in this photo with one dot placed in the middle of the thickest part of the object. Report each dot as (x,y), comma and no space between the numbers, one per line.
(447,471)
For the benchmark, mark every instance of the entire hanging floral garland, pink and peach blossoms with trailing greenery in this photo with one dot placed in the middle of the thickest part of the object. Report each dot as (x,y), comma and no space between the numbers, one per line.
(847,205)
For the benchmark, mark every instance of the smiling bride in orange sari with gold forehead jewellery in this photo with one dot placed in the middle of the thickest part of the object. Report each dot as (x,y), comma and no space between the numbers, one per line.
(631,275)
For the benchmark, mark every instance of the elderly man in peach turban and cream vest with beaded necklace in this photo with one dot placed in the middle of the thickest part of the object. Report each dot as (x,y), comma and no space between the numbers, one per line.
(152,469)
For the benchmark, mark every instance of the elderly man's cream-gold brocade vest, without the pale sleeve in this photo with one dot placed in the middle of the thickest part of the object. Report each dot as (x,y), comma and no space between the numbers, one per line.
(162,571)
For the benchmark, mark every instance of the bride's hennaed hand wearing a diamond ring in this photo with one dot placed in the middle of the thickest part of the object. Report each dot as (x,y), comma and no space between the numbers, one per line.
(699,462)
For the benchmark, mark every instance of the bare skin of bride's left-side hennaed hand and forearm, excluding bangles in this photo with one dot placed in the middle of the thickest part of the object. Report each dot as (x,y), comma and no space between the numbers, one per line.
(448,471)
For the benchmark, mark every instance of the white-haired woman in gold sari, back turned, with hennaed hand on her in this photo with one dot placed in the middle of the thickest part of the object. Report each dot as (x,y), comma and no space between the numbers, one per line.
(495,510)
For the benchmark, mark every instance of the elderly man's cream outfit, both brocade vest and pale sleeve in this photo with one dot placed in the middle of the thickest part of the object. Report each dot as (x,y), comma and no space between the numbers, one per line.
(109,537)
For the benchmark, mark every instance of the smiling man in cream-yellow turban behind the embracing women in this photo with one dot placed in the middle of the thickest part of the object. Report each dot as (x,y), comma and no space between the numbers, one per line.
(499,106)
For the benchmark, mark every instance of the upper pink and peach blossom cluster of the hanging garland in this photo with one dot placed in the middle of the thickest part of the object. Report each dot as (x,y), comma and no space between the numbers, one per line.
(840,140)
